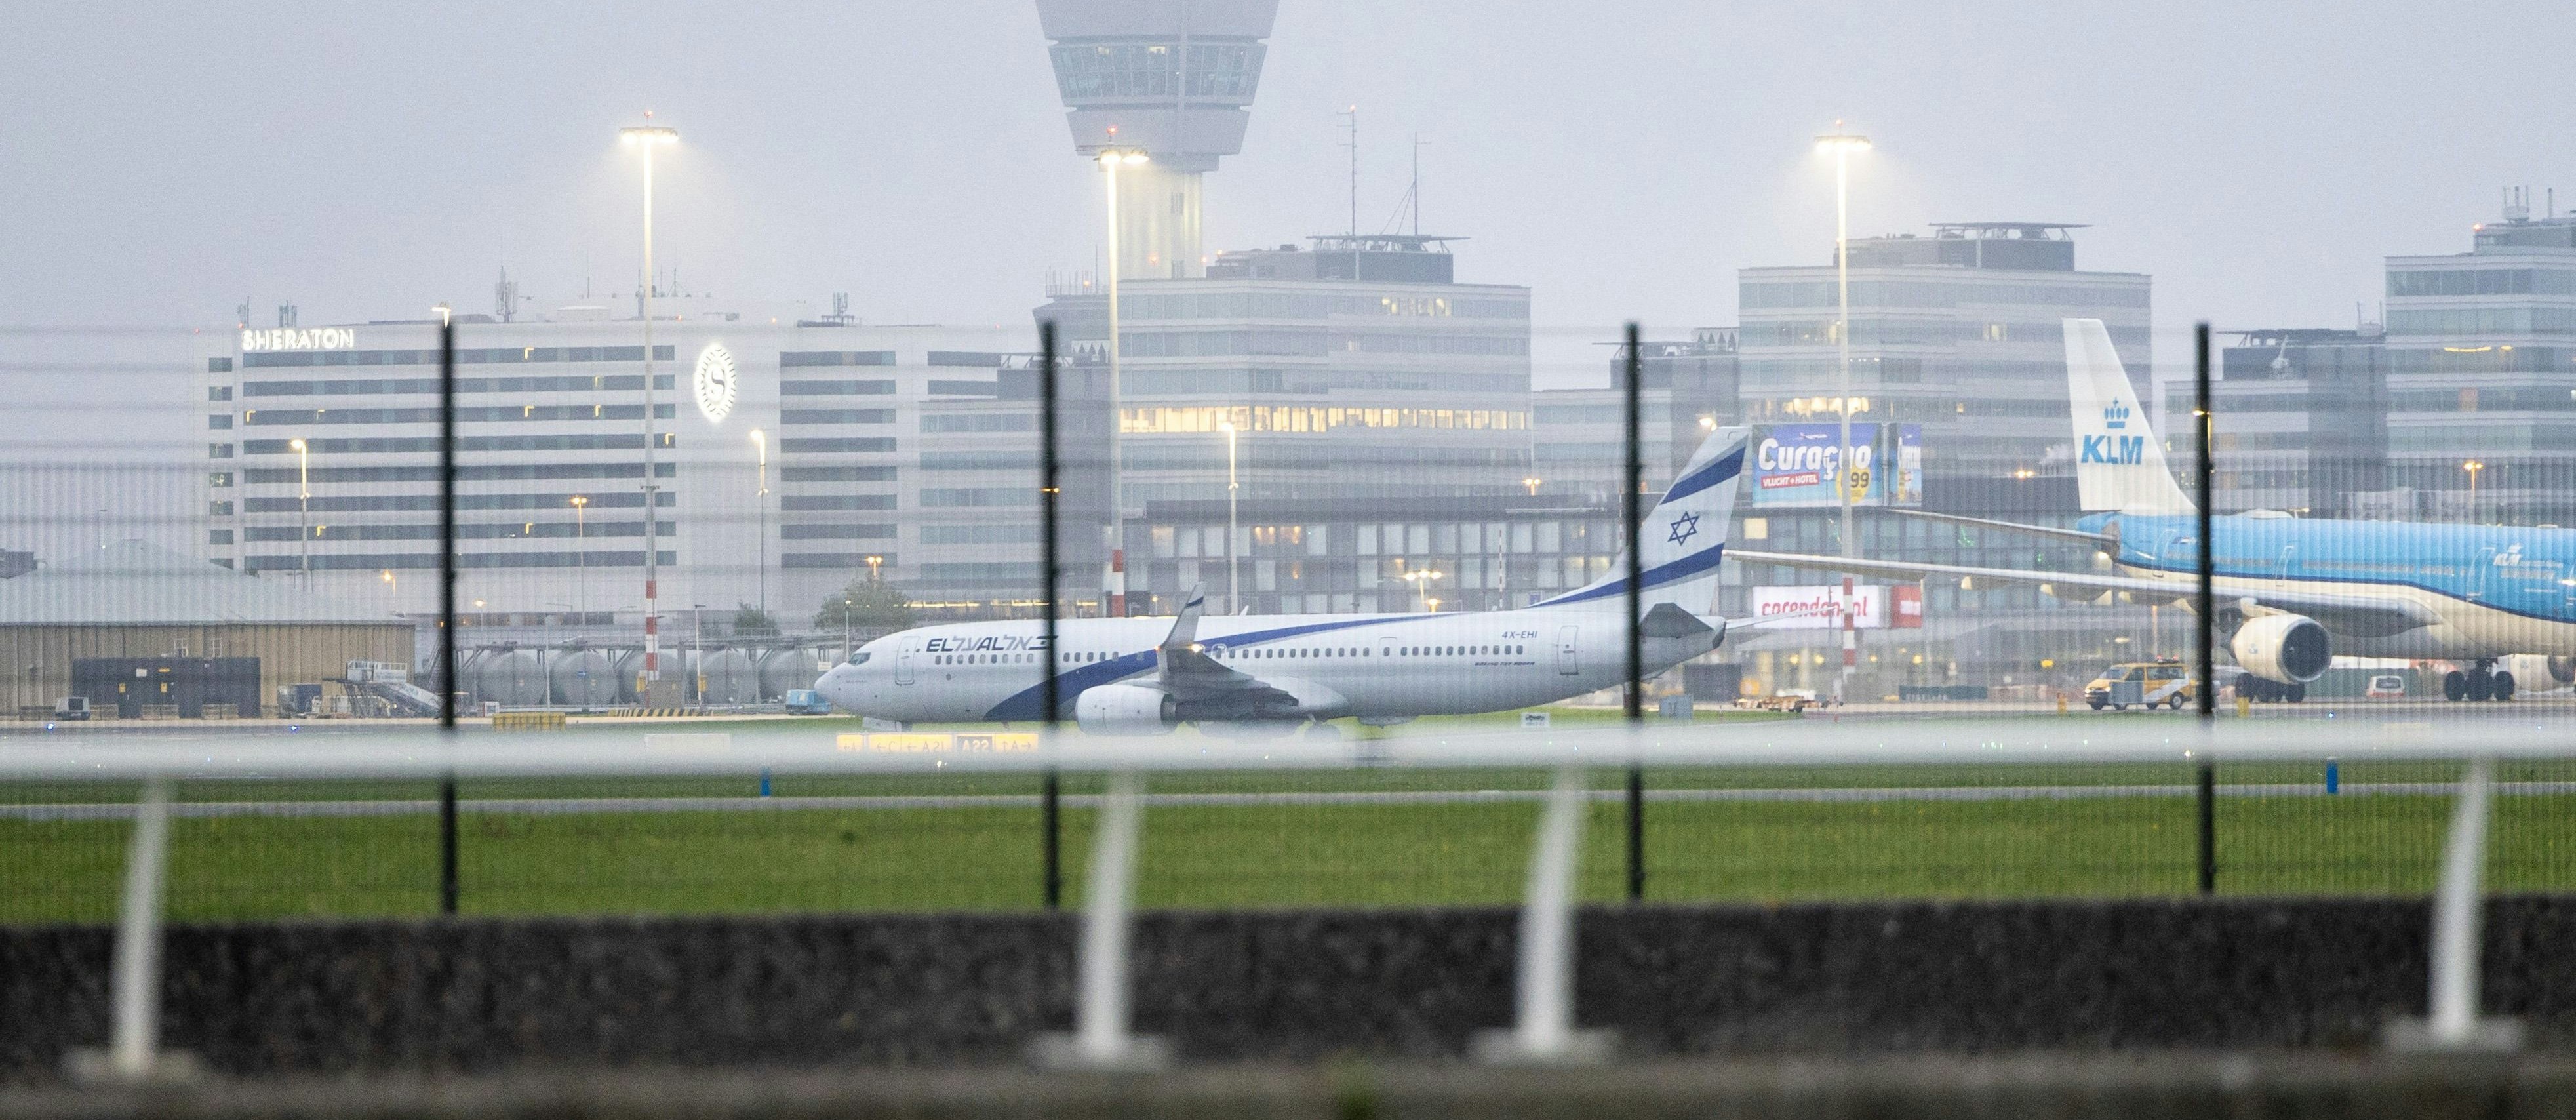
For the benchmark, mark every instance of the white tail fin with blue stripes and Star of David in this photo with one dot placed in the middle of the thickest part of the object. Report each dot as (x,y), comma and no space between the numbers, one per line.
(1683,537)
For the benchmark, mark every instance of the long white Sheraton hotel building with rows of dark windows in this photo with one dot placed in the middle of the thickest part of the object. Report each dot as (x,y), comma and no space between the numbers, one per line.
(787,462)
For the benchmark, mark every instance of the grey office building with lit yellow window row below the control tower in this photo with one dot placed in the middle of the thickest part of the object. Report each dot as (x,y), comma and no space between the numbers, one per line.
(1351,372)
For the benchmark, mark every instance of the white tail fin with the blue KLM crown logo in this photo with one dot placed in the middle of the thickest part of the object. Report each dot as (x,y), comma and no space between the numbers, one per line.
(2119,454)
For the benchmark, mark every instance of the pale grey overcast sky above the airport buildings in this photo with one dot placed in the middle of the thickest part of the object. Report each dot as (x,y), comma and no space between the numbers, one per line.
(1624,161)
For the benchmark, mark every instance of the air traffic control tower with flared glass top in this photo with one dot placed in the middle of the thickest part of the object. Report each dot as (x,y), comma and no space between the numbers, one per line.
(1168,79)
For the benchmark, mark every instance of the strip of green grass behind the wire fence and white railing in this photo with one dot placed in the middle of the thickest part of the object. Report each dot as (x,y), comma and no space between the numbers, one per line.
(985,859)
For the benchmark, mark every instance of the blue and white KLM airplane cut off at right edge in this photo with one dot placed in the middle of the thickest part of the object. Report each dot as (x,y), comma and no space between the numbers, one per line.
(2291,591)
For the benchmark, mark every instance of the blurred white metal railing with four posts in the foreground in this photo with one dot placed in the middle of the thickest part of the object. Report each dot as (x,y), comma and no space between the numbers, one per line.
(1104,1036)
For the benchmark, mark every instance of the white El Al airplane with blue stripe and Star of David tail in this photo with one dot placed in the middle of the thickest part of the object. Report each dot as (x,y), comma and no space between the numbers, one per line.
(1271,673)
